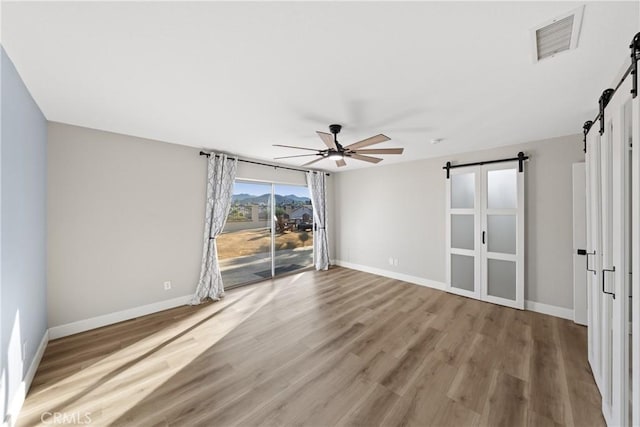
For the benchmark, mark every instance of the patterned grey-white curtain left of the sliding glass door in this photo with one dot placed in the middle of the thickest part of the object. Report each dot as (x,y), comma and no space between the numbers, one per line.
(220,177)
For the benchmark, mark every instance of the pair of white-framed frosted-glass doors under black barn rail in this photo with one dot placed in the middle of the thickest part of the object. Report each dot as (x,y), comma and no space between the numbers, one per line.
(485,233)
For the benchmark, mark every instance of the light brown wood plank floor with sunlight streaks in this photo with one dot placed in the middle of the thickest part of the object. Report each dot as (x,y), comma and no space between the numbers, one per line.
(323,348)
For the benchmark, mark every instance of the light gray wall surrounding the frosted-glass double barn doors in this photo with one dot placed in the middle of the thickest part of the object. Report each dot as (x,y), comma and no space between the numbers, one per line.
(399,211)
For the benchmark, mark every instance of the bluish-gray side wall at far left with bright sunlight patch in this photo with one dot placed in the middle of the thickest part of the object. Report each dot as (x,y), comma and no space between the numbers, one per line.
(23,155)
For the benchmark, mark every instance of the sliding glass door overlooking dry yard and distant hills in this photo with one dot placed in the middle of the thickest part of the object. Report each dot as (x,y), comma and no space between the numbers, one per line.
(268,232)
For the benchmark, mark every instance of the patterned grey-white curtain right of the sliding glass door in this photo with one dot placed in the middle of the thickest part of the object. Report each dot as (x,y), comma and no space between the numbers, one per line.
(317,189)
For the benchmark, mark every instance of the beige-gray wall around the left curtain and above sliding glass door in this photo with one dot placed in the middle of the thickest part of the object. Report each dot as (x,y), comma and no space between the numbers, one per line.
(125,214)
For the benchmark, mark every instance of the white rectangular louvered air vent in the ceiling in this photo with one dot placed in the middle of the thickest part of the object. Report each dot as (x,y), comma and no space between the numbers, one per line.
(558,35)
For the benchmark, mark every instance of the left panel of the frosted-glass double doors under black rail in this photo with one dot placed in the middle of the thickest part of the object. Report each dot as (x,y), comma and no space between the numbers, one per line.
(463,228)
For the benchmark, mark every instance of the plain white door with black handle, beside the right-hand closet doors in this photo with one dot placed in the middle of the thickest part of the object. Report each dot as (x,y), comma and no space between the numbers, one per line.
(579,243)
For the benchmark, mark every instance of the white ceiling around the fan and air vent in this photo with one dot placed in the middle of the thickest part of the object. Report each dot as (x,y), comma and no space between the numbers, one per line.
(239,76)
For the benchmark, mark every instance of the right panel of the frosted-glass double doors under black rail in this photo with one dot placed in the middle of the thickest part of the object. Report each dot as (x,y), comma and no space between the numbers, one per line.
(503,234)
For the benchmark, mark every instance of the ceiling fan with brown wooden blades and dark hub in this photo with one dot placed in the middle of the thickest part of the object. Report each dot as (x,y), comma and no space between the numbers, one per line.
(336,151)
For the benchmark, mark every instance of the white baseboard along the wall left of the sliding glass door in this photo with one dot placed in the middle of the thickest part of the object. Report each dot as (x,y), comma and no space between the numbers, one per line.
(118,316)
